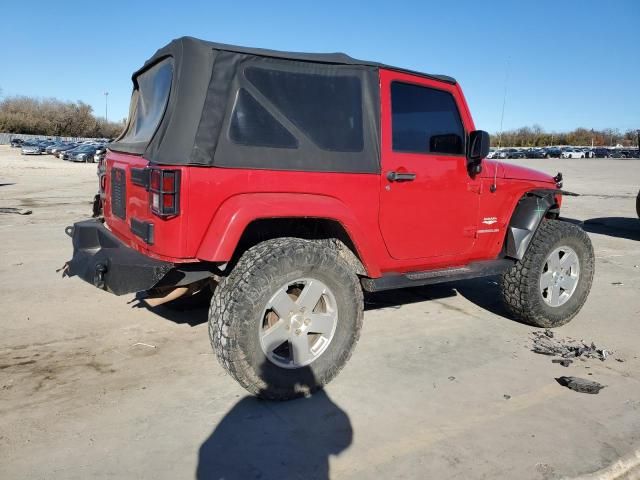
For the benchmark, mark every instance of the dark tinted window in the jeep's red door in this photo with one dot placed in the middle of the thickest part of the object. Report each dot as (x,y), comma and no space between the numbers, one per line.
(425,120)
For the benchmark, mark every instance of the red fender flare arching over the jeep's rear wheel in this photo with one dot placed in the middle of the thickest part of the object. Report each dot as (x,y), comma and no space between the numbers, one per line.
(236,213)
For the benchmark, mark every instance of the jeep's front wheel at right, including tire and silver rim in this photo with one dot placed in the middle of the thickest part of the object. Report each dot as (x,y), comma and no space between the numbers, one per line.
(549,286)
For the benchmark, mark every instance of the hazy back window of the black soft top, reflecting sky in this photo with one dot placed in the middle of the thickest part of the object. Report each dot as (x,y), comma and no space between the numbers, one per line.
(149,101)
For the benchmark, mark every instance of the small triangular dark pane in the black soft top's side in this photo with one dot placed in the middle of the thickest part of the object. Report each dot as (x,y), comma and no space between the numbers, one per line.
(251,124)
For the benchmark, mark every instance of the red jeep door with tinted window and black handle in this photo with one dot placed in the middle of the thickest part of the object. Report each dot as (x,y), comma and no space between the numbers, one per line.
(428,200)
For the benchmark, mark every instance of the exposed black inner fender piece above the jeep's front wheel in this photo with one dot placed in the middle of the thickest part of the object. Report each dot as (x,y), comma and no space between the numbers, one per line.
(529,212)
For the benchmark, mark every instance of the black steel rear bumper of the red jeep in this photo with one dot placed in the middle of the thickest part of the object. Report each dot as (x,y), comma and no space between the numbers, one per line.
(102,260)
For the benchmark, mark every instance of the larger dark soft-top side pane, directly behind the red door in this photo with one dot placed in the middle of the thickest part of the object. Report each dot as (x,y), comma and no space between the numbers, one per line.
(325,108)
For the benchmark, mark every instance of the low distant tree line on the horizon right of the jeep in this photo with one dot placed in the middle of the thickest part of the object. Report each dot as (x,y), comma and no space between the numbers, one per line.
(535,136)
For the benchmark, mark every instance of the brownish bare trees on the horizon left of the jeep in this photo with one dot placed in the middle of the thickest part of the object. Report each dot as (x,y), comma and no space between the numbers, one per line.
(53,117)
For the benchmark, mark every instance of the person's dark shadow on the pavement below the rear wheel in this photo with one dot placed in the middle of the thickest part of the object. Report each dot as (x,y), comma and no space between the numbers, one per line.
(276,440)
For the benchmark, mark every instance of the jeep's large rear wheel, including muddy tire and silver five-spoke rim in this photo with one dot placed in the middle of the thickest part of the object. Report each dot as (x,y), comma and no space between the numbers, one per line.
(287,318)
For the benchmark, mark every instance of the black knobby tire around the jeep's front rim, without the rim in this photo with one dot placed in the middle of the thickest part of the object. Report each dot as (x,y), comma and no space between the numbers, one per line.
(522,292)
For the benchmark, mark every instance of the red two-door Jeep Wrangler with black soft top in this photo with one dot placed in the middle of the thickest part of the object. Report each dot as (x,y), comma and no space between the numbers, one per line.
(290,182)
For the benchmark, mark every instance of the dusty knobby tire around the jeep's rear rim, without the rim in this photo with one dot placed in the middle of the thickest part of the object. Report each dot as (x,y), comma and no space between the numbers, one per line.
(237,315)
